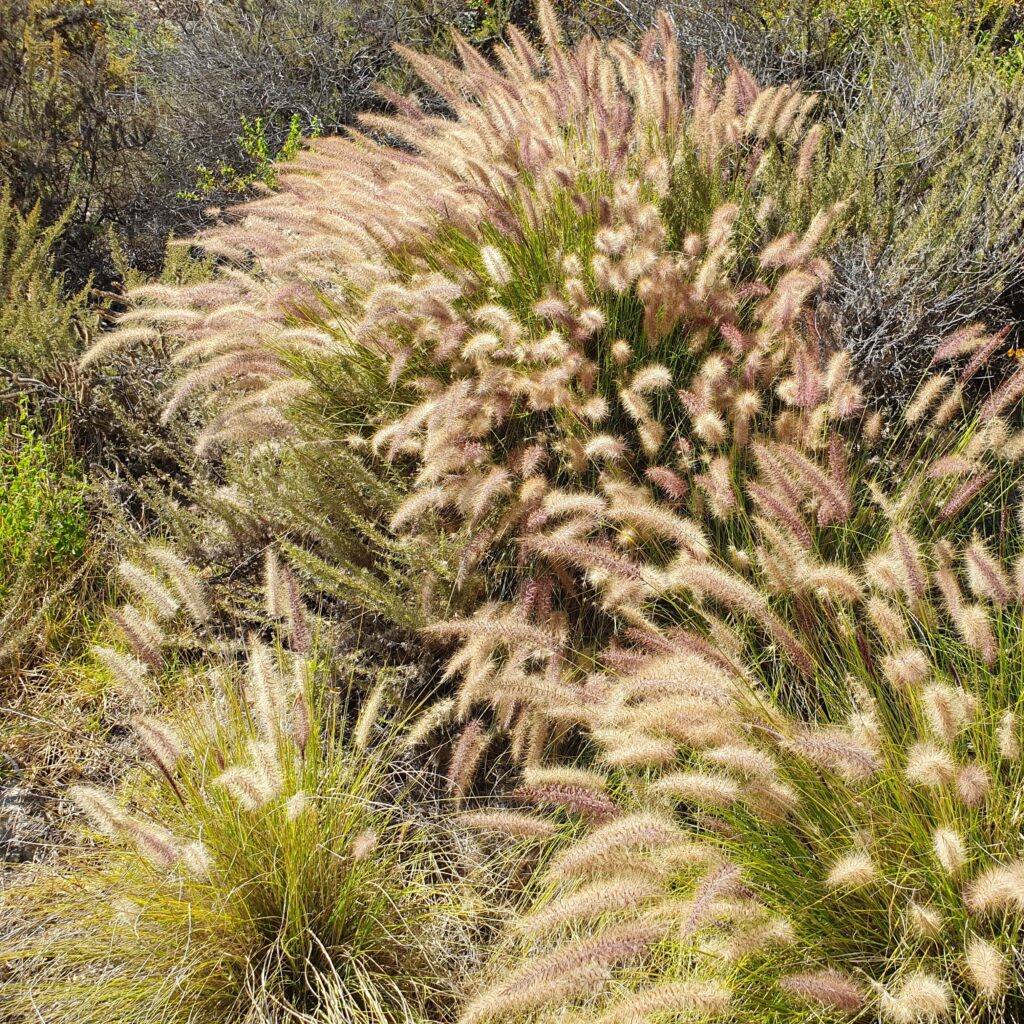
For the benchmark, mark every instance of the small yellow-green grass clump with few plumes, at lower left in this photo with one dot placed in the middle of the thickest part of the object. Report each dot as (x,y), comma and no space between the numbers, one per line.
(265,864)
